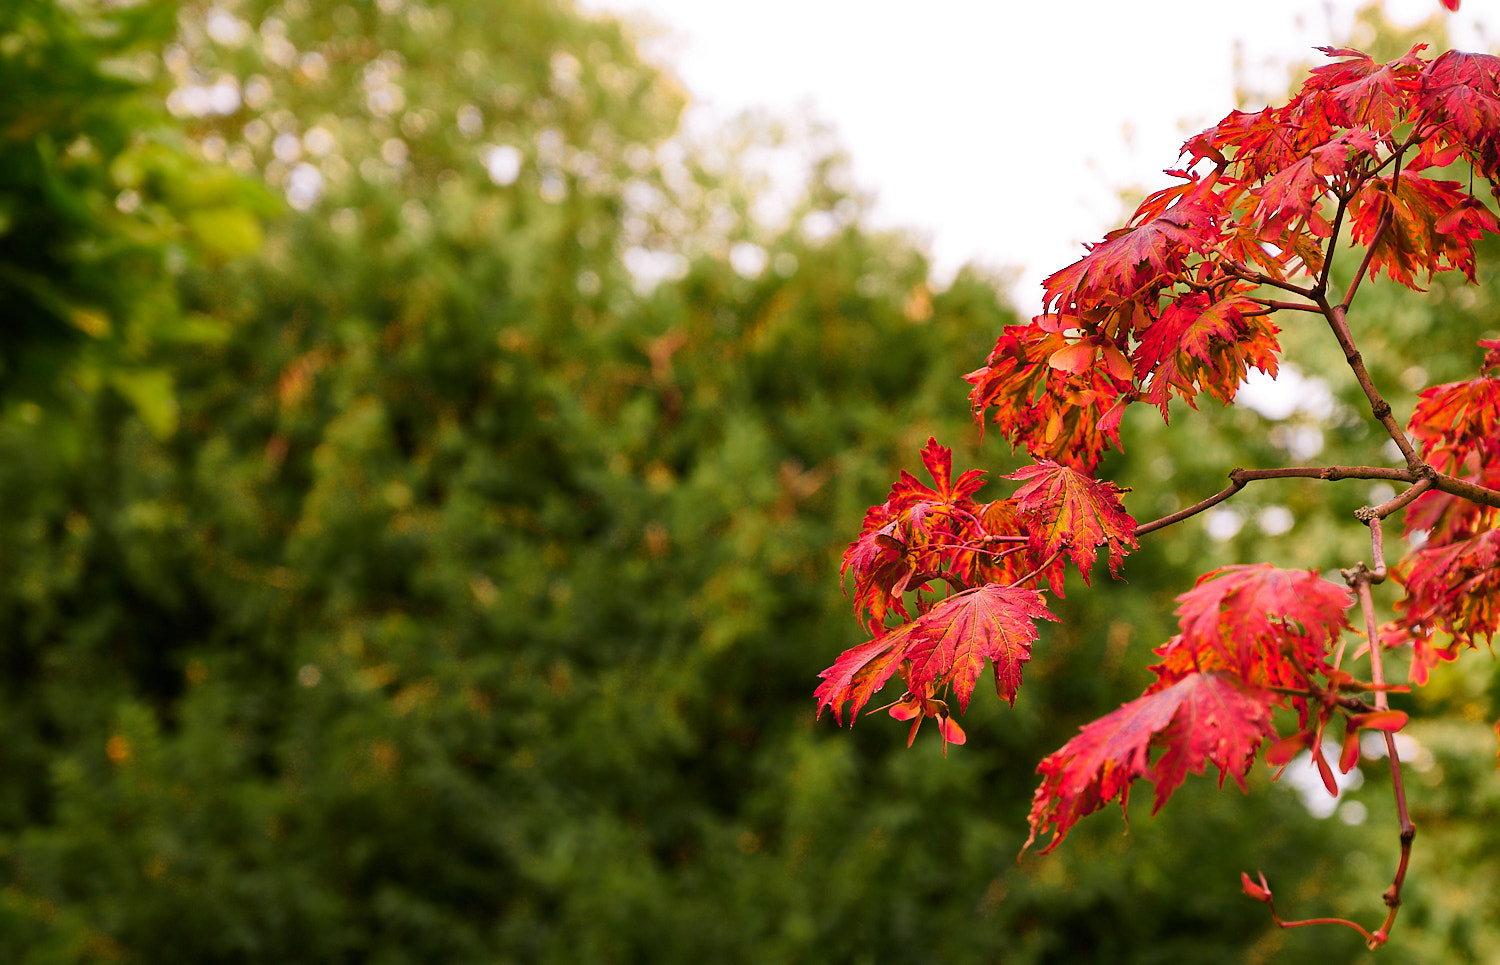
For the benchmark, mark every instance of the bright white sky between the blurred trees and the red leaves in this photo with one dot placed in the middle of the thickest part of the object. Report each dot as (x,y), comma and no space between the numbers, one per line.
(1003,131)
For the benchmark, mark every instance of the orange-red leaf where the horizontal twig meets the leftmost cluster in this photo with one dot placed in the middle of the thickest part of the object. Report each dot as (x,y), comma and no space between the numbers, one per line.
(1073,514)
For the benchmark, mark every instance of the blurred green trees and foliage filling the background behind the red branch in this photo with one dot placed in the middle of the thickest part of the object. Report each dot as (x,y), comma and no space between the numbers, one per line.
(425,469)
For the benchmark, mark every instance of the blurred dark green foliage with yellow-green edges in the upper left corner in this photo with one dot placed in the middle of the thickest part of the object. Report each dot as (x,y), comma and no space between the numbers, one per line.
(101,206)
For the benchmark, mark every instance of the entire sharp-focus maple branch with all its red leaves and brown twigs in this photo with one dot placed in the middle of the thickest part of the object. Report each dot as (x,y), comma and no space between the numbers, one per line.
(1180,302)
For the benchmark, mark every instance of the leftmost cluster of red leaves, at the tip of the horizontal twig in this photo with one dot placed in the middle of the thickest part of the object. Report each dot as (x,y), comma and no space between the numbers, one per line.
(991,559)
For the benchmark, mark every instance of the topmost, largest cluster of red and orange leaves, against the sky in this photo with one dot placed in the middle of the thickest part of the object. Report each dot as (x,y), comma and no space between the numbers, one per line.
(1168,305)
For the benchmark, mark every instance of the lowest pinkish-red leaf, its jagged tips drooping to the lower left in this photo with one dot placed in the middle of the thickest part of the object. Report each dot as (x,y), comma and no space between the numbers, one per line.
(1201,720)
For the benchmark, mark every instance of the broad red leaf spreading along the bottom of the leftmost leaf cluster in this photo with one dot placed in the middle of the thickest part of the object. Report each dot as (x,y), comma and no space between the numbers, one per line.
(946,648)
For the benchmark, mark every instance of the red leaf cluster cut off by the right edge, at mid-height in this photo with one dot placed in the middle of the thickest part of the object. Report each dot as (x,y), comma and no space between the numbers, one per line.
(1453,580)
